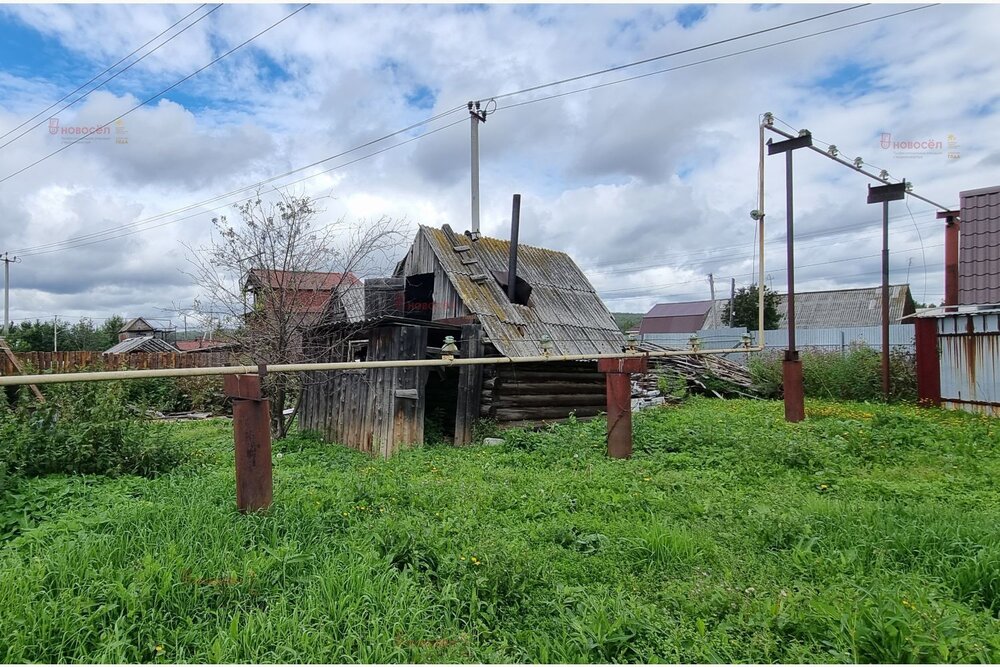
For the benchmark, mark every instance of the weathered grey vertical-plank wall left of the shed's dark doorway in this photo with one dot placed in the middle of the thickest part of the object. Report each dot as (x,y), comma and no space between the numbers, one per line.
(378,410)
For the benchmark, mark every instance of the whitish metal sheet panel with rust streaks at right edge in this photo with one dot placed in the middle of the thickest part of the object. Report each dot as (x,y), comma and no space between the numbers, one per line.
(970,356)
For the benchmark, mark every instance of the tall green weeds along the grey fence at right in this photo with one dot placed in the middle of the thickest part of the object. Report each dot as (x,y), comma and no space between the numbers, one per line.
(853,376)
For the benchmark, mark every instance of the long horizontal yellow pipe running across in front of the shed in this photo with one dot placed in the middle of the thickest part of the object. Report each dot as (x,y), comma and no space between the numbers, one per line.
(104,376)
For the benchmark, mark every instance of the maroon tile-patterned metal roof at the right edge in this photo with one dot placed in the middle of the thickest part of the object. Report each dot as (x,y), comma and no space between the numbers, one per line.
(979,256)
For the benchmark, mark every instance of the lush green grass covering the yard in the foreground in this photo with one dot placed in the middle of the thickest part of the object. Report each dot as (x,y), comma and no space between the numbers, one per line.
(866,533)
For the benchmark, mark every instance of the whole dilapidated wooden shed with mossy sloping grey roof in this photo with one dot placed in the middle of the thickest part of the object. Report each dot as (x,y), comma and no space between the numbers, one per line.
(450,285)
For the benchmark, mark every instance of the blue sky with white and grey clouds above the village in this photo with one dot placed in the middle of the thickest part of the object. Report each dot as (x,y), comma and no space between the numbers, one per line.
(648,183)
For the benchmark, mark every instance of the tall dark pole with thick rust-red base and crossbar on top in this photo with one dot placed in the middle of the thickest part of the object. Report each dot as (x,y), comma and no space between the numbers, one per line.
(791,369)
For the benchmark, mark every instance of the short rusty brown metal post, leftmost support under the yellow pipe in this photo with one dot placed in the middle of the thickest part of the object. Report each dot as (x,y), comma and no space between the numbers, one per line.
(252,437)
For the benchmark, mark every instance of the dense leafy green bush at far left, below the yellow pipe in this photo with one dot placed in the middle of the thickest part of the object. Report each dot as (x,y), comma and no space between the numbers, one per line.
(82,428)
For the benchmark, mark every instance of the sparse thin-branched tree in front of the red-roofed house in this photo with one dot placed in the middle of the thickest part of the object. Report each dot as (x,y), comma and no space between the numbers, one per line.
(274,274)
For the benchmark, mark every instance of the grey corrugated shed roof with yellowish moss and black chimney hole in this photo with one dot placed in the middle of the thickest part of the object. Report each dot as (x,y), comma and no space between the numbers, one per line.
(563,303)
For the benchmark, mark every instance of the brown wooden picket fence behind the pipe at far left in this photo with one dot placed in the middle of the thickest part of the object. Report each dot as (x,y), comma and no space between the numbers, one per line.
(67,362)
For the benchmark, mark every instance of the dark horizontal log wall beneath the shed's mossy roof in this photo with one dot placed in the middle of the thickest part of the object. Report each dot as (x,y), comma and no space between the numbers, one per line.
(523,394)
